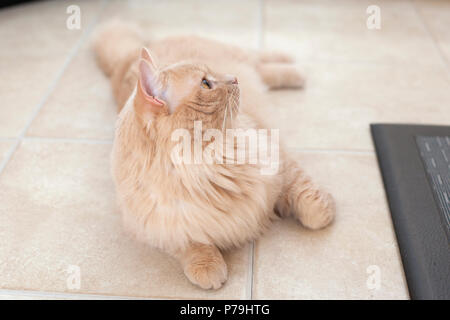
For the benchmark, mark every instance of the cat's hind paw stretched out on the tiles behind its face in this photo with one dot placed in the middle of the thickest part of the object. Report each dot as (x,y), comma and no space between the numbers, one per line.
(280,75)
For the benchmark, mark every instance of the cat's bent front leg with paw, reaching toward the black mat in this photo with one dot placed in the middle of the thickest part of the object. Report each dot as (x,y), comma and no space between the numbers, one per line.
(300,197)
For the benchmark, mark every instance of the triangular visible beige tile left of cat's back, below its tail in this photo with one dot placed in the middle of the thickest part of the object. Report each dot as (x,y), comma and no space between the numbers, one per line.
(81,106)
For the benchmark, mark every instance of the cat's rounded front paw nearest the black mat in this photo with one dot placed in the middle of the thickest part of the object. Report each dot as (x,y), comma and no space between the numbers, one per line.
(316,209)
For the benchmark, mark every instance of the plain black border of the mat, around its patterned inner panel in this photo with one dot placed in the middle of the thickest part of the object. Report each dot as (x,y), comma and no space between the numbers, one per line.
(410,196)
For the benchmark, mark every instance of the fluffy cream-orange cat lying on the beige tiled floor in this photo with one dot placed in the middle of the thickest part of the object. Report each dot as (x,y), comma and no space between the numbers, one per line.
(194,211)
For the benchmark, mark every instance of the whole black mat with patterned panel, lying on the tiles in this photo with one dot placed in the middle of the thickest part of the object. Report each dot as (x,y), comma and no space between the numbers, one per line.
(415,165)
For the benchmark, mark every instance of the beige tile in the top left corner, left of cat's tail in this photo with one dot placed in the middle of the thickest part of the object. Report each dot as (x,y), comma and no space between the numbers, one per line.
(35,44)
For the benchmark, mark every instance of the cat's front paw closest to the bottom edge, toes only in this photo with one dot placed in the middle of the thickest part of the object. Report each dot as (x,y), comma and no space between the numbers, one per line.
(207,273)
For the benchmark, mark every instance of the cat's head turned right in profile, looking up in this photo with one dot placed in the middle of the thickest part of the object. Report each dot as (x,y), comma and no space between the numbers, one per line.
(184,92)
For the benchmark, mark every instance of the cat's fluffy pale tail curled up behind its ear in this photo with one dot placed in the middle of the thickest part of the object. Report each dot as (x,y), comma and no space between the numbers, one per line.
(114,41)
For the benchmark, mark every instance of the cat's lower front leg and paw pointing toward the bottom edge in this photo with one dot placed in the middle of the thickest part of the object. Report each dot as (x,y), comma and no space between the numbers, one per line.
(203,265)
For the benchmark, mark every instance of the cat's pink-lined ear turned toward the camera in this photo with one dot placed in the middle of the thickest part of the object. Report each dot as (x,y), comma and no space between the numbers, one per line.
(147,104)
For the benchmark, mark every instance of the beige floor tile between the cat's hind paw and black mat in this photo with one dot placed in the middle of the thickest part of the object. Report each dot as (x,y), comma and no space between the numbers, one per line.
(341,100)
